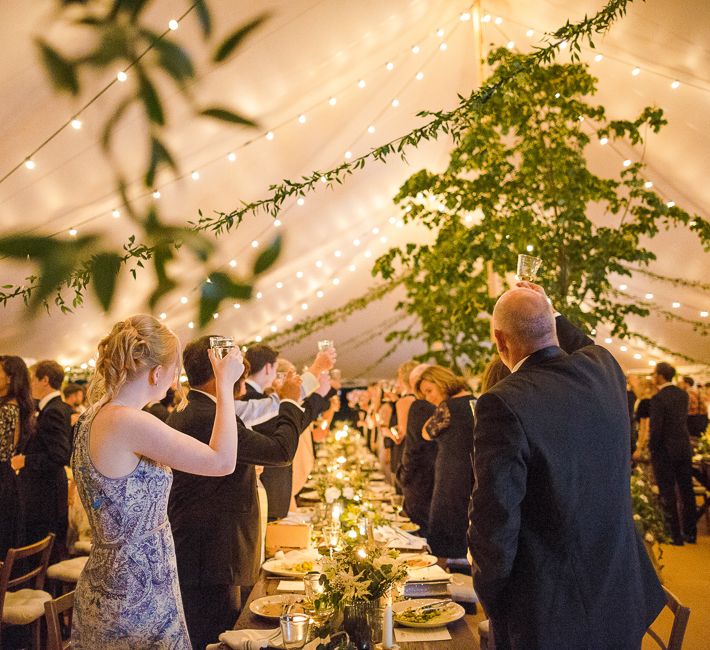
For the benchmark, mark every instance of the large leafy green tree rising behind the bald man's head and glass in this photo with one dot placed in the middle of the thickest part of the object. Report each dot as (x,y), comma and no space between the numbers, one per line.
(518,181)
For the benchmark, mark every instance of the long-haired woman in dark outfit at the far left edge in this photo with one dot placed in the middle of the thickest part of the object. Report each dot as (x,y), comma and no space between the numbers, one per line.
(17,422)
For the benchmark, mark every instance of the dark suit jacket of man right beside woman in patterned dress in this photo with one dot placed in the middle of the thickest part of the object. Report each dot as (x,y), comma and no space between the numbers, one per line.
(215,519)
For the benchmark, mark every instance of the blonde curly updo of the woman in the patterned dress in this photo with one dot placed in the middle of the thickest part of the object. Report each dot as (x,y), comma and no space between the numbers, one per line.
(132,346)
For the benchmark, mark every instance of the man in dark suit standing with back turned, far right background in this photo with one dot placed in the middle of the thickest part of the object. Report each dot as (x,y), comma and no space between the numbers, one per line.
(671,454)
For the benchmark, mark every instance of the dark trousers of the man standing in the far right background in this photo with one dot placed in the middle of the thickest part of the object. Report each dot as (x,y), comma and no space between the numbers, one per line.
(669,474)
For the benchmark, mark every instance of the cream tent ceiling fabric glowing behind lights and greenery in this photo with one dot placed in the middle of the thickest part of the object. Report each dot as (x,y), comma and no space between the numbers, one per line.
(308,52)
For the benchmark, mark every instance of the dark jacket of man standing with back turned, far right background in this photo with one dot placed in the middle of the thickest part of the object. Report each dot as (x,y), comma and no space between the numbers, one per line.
(669,437)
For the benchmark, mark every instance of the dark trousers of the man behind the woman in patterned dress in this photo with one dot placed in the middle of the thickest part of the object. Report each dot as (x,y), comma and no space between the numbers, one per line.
(209,611)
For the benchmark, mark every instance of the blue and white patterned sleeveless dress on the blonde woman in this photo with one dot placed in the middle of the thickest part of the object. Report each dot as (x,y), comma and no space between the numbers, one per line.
(128,595)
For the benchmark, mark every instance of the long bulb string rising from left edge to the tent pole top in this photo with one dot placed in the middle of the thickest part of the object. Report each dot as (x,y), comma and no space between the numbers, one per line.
(231,154)
